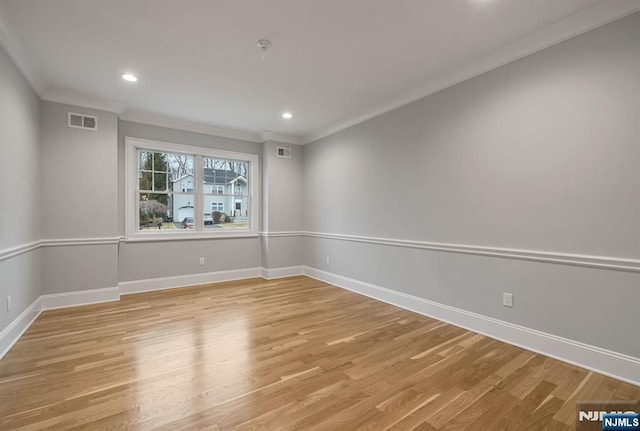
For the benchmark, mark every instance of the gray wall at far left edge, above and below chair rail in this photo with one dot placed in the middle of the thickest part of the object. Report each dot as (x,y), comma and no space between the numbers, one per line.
(19,190)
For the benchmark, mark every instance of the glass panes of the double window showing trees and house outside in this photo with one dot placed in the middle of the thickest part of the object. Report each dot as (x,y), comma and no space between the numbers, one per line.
(167,193)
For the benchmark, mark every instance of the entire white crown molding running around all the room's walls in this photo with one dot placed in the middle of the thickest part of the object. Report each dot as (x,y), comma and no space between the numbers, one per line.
(596,15)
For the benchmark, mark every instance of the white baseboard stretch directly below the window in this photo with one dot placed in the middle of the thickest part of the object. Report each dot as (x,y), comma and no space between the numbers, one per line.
(161,283)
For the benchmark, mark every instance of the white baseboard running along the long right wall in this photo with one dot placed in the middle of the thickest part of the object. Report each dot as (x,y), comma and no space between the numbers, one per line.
(613,364)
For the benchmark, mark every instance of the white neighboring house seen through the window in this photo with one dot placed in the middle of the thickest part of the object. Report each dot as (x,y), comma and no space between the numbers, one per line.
(225,190)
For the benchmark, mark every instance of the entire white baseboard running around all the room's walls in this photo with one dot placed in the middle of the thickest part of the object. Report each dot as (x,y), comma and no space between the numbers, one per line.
(617,365)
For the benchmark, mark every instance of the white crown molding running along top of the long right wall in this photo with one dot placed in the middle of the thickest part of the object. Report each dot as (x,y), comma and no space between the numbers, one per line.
(599,14)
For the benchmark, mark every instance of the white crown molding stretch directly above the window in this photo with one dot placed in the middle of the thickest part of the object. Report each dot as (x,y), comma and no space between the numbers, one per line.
(159,120)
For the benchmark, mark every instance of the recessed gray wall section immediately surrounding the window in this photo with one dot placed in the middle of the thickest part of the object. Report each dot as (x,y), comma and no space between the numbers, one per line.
(143,260)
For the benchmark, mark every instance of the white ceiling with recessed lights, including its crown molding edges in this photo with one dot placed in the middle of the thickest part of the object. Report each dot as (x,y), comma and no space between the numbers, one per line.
(333,63)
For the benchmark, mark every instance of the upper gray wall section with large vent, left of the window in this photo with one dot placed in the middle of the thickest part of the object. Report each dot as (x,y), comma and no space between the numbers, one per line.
(79,175)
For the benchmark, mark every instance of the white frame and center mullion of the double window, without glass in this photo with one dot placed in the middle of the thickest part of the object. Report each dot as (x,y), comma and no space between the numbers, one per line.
(132,233)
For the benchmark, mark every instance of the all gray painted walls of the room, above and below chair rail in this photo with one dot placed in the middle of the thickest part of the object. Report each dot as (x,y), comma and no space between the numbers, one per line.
(541,154)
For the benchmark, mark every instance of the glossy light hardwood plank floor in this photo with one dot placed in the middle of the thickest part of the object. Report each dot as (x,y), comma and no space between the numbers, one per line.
(289,354)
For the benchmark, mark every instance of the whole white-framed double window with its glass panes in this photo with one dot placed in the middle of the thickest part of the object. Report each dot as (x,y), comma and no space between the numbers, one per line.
(177,191)
